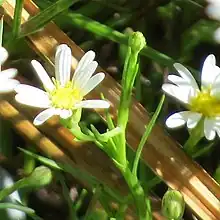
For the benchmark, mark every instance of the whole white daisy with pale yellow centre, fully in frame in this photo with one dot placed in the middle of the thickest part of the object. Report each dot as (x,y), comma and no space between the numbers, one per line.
(62,96)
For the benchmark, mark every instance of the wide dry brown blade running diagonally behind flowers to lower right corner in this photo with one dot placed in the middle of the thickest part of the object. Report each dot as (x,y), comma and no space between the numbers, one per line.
(161,153)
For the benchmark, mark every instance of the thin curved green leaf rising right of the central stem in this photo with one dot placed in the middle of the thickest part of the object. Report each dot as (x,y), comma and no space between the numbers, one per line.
(146,135)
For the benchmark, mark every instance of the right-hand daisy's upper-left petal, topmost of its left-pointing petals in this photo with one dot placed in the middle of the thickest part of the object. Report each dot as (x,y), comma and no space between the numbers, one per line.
(185,74)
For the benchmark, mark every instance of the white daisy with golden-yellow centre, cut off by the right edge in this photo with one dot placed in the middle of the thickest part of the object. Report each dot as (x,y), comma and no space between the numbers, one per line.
(201,103)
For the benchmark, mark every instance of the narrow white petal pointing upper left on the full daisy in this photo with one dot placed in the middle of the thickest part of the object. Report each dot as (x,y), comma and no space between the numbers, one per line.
(42,74)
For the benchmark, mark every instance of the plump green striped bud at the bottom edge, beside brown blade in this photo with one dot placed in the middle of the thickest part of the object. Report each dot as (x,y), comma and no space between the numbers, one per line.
(173,205)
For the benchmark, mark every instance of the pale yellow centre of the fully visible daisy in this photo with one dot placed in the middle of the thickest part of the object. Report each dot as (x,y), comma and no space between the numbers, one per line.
(64,97)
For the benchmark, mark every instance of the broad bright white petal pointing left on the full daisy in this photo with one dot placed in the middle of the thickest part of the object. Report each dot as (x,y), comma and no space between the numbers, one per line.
(33,97)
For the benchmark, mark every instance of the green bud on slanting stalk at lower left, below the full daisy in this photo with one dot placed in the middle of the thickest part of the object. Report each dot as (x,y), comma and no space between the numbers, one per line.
(40,177)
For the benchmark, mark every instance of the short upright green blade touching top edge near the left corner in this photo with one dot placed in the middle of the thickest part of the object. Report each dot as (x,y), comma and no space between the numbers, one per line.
(17,18)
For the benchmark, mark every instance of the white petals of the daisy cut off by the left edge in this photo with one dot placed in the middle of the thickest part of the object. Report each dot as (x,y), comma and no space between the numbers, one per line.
(7,83)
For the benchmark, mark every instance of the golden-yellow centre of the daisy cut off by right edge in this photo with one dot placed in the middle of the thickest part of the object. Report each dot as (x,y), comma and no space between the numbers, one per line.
(205,104)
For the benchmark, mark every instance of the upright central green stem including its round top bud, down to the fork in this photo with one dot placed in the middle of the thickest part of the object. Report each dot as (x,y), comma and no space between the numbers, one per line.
(136,43)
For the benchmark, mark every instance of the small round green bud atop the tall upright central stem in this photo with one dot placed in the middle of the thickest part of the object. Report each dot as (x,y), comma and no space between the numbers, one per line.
(136,41)
